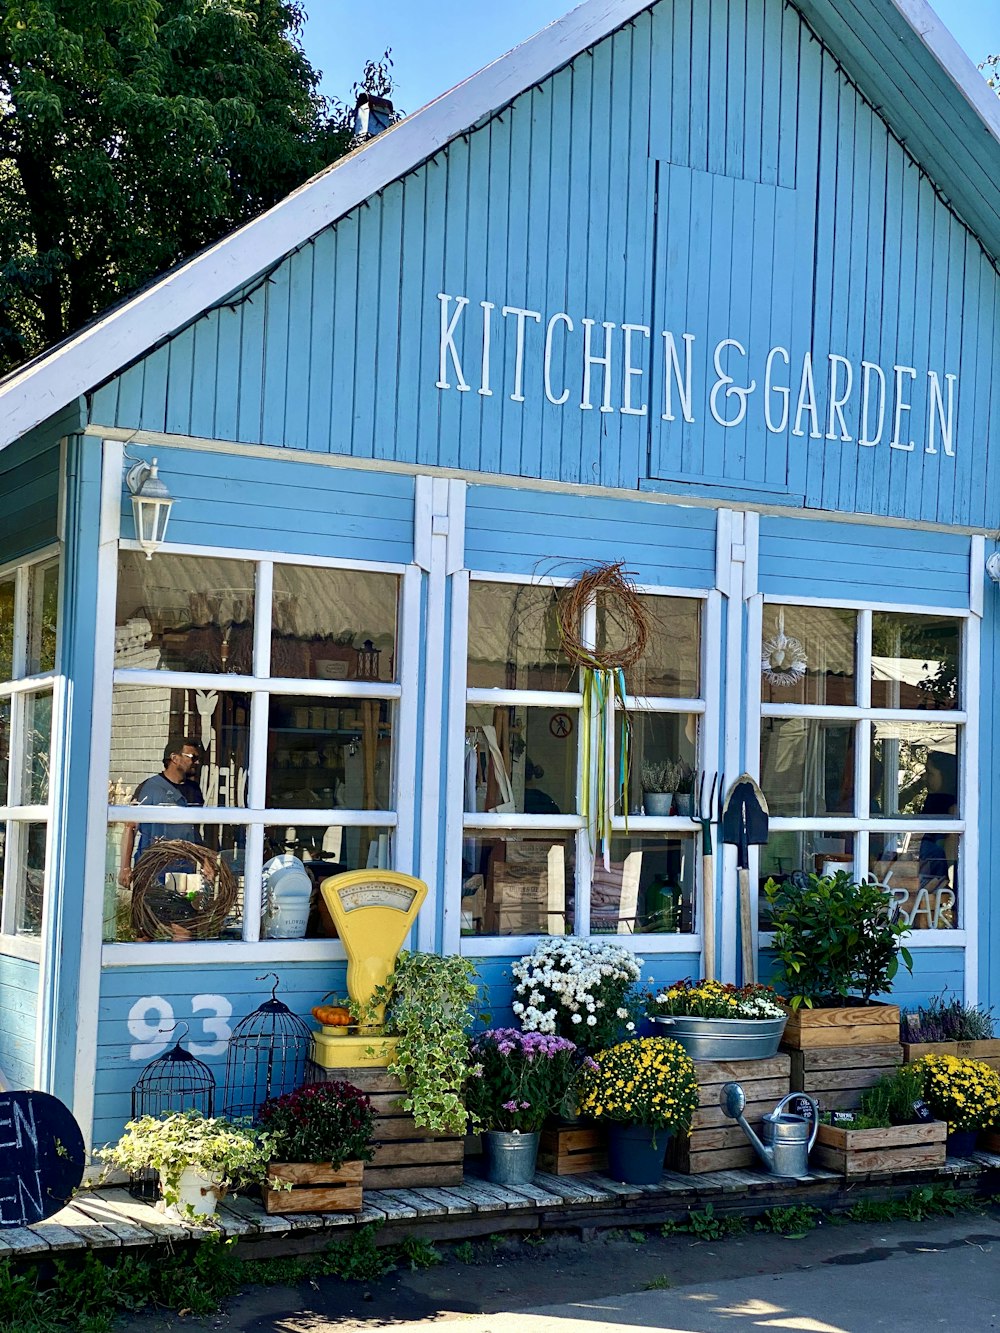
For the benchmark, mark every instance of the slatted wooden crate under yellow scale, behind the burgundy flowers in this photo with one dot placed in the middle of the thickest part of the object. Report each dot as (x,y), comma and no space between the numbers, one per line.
(406,1156)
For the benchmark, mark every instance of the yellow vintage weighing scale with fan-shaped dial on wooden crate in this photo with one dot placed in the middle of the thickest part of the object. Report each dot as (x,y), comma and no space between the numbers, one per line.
(374,912)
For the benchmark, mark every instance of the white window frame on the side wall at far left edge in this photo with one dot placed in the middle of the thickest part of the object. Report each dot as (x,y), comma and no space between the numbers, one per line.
(17,815)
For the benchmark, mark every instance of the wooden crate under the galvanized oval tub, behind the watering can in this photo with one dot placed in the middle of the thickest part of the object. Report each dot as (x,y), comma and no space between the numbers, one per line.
(718,1143)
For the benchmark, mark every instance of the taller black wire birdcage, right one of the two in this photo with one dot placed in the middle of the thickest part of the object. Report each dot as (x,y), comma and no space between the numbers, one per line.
(267,1056)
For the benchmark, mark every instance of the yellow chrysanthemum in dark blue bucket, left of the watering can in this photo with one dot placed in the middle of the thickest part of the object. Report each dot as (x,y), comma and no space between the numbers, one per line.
(645,1091)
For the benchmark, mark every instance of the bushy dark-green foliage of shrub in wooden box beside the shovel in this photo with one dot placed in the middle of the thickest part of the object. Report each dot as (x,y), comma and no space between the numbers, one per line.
(837,940)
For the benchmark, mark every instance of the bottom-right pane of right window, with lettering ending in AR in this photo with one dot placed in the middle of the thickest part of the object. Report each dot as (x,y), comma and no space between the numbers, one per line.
(921,870)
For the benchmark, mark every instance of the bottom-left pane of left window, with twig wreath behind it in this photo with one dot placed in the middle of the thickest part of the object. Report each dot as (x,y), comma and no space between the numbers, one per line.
(151,895)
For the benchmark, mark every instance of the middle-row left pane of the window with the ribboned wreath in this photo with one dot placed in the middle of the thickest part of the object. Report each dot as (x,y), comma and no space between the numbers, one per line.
(521,760)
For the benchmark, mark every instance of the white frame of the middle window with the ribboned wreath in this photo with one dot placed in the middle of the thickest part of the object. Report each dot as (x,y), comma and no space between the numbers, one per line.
(459,822)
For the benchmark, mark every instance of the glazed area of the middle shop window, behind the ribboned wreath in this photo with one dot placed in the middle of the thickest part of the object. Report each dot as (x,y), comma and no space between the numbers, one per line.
(529,866)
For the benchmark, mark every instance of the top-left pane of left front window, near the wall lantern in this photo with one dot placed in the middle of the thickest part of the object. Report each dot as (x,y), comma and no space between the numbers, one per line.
(185,614)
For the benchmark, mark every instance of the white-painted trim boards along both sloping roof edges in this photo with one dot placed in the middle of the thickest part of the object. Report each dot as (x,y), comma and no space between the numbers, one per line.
(85,361)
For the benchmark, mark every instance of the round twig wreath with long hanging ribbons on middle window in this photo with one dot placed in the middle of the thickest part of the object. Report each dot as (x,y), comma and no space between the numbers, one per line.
(603,679)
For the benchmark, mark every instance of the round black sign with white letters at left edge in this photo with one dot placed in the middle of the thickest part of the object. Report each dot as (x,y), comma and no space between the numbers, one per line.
(42,1158)
